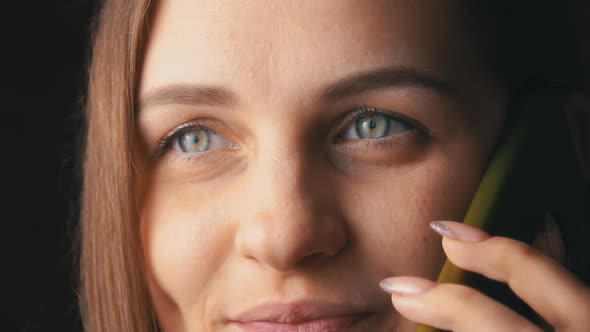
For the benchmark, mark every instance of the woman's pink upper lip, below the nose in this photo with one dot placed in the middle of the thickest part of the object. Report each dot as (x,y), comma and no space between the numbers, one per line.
(297,312)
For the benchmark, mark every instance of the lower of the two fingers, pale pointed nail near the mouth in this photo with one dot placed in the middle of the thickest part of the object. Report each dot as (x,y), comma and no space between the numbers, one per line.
(452,307)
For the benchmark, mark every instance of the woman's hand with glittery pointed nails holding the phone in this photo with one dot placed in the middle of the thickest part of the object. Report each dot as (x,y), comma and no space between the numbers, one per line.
(547,287)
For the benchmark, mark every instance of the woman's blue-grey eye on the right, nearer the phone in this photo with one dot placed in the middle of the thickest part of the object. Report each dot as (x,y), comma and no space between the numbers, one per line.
(375,125)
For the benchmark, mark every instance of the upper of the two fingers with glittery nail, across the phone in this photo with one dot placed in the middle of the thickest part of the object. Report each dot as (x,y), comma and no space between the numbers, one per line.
(551,290)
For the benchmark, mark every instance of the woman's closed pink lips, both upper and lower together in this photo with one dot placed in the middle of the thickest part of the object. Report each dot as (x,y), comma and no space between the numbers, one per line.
(309,316)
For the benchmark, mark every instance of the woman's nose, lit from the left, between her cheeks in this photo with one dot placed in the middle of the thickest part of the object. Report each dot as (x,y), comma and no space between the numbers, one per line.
(292,220)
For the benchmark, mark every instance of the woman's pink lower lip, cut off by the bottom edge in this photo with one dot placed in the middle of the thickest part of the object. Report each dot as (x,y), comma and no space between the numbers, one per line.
(332,324)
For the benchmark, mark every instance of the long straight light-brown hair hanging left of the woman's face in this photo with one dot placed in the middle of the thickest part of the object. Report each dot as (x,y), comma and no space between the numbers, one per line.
(114,295)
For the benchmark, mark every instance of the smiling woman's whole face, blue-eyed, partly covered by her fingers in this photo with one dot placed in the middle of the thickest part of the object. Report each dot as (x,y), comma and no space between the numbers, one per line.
(294,153)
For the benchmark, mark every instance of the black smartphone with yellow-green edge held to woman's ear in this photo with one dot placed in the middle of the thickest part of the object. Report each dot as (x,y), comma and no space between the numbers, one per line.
(533,170)
